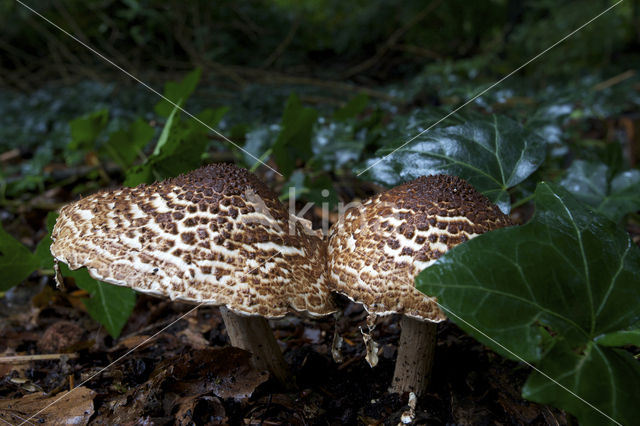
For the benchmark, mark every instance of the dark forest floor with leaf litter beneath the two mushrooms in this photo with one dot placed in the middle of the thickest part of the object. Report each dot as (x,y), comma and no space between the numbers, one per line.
(188,373)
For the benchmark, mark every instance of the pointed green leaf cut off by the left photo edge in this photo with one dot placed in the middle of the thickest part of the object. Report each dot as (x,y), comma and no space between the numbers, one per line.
(16,261)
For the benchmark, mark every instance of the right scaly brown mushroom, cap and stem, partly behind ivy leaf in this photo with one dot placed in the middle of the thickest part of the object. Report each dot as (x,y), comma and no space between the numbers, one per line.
(375,251)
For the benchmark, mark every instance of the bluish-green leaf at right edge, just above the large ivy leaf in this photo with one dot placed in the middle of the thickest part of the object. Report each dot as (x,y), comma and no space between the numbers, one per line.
(613,196)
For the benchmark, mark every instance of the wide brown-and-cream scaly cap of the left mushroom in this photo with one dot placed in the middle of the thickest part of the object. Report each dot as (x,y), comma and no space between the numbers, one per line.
(217,235)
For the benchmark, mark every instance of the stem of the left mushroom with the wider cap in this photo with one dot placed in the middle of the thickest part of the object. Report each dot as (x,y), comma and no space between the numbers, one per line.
(253,334)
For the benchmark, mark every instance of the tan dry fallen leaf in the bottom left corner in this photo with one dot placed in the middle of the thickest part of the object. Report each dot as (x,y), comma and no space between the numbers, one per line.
(67,408)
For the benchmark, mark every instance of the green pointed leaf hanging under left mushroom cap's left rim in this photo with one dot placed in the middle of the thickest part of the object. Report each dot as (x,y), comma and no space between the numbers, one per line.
(108,304)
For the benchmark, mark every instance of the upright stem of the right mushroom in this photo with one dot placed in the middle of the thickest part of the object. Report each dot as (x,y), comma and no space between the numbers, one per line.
(415,356)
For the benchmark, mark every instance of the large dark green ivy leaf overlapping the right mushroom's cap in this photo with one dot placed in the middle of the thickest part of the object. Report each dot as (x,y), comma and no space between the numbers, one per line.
(570,271)
